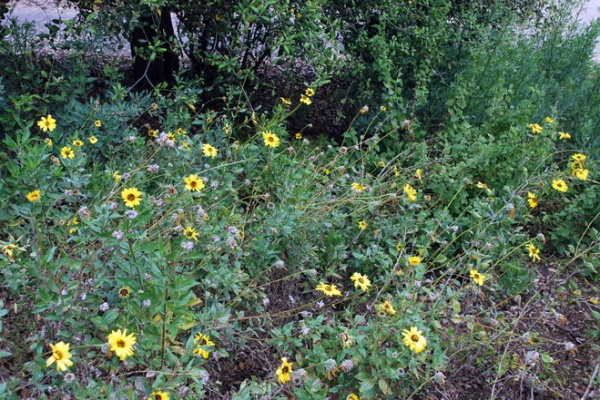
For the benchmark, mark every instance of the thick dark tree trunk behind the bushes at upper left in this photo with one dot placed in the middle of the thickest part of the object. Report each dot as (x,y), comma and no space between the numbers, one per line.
(148,73)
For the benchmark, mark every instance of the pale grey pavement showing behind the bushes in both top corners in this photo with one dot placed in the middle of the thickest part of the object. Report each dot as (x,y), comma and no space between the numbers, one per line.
(44,11)
